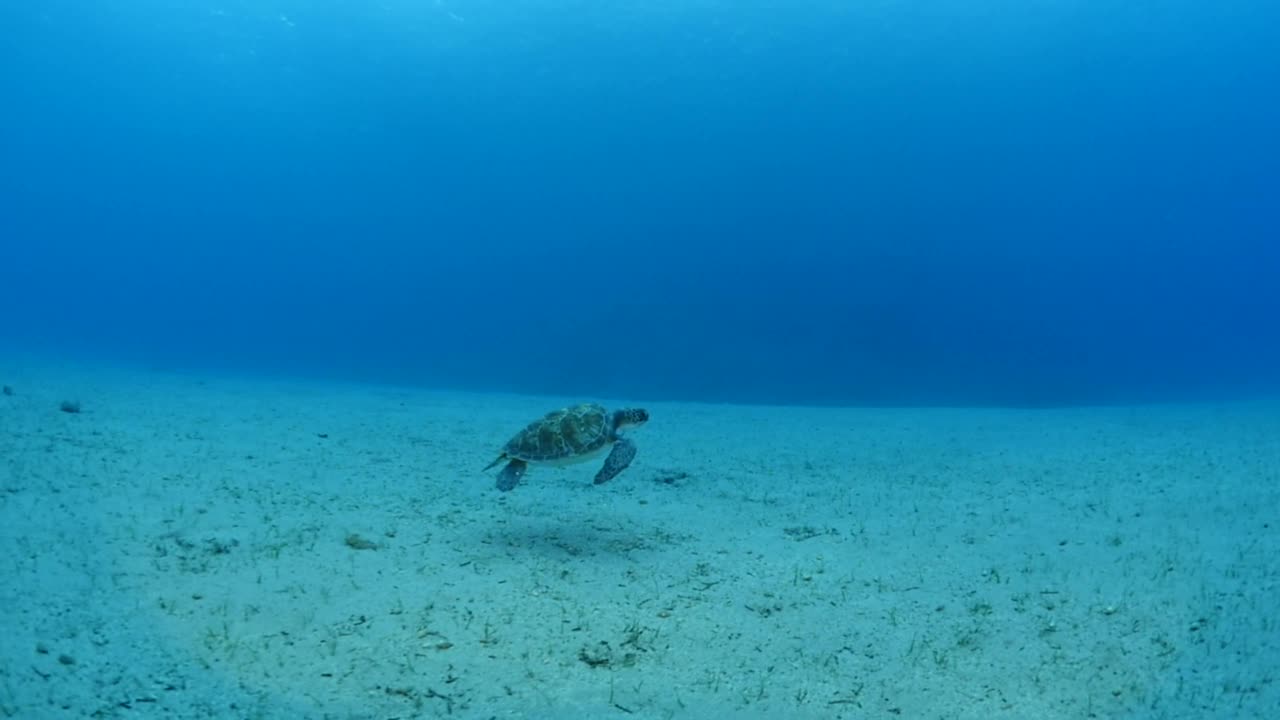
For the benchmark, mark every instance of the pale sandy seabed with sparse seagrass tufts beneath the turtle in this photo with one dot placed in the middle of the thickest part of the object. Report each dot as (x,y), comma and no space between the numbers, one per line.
(179,550)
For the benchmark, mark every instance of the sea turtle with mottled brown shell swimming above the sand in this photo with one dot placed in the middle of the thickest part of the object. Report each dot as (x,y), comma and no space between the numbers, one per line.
(568,436)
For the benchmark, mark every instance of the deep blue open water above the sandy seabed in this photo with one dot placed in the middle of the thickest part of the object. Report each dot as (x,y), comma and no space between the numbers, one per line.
(954,202)
